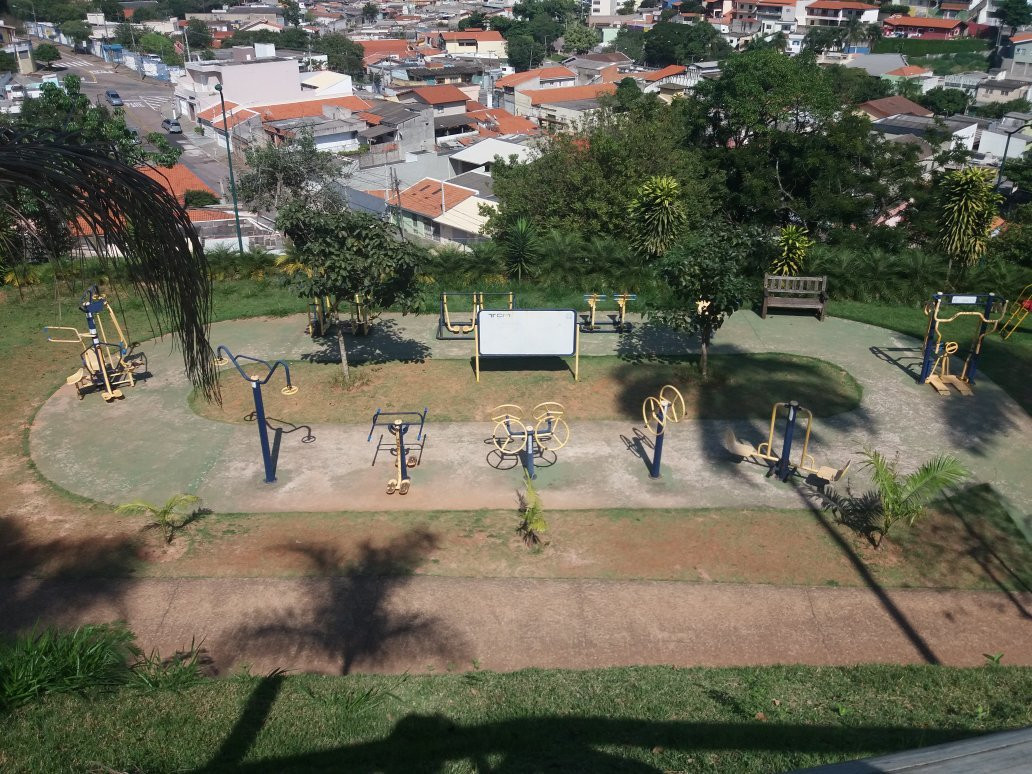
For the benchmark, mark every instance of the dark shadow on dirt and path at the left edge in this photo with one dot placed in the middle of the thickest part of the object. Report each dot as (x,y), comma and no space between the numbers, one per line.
(53,582)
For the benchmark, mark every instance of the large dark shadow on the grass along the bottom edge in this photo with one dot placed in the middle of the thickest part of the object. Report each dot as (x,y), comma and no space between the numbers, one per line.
(435,744)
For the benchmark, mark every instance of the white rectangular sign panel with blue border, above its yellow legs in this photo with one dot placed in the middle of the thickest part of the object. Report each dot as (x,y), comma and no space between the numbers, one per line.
(528,333)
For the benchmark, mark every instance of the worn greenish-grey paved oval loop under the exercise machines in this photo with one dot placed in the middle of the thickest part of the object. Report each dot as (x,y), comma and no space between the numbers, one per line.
(152,445)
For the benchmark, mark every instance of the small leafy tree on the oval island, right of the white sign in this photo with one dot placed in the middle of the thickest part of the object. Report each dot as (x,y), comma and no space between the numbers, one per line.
(705,276)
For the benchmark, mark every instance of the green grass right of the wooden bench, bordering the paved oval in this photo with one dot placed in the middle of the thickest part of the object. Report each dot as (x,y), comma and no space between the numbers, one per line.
(1008,364)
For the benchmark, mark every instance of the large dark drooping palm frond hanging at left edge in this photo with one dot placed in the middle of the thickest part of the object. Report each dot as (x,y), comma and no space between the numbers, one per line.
(50,180)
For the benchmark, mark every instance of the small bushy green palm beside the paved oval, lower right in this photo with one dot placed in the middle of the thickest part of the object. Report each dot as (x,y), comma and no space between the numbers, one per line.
(897,497)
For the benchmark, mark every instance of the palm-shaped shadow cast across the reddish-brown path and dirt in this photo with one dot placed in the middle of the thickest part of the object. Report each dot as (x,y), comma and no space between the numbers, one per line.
(350,618)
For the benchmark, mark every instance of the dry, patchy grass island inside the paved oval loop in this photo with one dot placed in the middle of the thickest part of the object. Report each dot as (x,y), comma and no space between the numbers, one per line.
(739,388)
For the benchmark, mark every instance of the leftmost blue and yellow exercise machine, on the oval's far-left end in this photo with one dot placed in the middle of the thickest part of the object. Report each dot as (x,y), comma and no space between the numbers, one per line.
(105,365)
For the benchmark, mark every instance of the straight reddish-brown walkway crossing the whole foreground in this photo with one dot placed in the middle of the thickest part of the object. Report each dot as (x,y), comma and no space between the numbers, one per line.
(431,624)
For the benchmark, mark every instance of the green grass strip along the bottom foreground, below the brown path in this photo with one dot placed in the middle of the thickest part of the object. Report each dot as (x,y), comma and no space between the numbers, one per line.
(746,720)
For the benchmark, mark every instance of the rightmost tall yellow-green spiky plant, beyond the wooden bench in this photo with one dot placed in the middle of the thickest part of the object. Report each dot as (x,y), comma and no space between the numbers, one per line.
(970,205)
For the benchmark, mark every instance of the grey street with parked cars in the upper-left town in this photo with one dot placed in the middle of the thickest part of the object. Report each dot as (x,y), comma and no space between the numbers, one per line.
(147,103)
